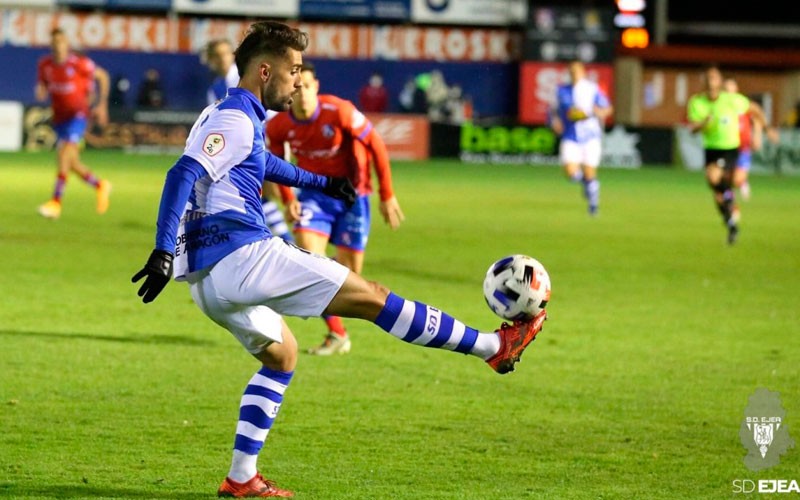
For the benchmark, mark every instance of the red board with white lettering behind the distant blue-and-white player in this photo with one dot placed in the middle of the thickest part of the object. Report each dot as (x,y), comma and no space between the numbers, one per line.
(538,82)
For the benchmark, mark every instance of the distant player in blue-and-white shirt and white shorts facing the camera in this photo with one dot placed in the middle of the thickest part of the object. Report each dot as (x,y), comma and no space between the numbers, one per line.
(578,115)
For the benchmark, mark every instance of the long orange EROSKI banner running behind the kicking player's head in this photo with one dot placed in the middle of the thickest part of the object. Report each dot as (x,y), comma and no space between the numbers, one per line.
(31,28)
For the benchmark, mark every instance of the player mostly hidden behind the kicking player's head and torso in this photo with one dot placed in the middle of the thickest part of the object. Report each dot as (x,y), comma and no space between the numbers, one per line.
(220,59)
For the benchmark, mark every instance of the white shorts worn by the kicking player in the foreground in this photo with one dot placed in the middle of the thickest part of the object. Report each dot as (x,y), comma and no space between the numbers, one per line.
(248,291)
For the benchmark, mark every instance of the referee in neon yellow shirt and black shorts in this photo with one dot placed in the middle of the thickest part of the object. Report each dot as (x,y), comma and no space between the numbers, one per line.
(716,113)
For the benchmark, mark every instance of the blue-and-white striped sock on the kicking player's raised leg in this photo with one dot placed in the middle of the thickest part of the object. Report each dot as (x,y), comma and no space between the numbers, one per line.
(421,324)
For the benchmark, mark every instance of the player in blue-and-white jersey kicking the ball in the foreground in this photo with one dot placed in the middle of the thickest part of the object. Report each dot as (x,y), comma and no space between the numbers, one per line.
(211,233)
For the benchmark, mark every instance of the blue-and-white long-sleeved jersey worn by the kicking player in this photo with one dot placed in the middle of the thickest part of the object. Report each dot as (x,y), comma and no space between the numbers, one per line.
(223,211)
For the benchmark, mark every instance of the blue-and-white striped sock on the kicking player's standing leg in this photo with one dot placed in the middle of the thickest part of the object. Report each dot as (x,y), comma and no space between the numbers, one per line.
(259,406)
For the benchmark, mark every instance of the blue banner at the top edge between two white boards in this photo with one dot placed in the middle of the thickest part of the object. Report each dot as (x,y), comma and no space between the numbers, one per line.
(383,10)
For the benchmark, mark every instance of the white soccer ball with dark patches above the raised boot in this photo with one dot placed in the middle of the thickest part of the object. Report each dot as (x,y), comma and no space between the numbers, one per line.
(517,287)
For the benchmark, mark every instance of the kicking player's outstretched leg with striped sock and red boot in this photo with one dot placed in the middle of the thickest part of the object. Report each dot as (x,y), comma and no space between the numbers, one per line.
(424,325)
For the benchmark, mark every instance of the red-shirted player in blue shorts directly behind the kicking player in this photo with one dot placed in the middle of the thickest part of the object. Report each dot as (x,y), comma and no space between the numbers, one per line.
(329,136)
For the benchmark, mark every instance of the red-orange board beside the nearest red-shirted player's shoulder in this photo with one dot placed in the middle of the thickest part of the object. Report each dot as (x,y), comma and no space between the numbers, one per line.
(406,136)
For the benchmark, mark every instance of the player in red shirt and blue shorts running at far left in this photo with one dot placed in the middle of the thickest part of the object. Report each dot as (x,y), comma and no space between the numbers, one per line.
(68,78)
